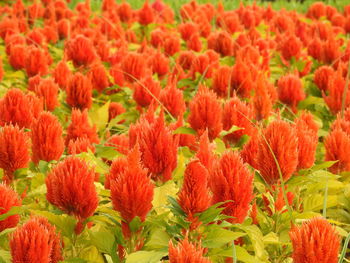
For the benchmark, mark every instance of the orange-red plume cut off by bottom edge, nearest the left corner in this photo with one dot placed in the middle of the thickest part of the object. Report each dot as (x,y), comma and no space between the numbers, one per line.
(36,241)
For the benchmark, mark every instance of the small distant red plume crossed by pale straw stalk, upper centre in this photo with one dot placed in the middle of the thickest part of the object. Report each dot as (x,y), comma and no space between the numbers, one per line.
(146,90)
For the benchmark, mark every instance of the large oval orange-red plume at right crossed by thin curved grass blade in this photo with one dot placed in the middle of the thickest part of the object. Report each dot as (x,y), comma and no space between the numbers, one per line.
(280,138)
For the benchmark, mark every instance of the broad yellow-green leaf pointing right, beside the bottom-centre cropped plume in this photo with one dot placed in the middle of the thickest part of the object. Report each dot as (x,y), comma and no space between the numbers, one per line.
(217,237)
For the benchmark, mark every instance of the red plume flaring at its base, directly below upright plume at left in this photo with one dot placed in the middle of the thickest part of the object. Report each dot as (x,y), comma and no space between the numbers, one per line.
(80,127)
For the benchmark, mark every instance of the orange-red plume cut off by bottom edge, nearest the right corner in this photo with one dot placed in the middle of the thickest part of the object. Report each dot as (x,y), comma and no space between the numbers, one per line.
(315,241)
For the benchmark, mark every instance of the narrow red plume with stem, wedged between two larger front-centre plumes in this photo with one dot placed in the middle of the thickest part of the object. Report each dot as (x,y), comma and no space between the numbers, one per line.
(194,195)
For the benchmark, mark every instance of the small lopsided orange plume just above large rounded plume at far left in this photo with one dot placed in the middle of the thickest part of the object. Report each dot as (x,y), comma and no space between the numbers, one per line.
(48,91)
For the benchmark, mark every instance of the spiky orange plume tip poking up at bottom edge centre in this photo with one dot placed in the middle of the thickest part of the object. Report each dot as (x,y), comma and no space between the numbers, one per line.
(186,252)
